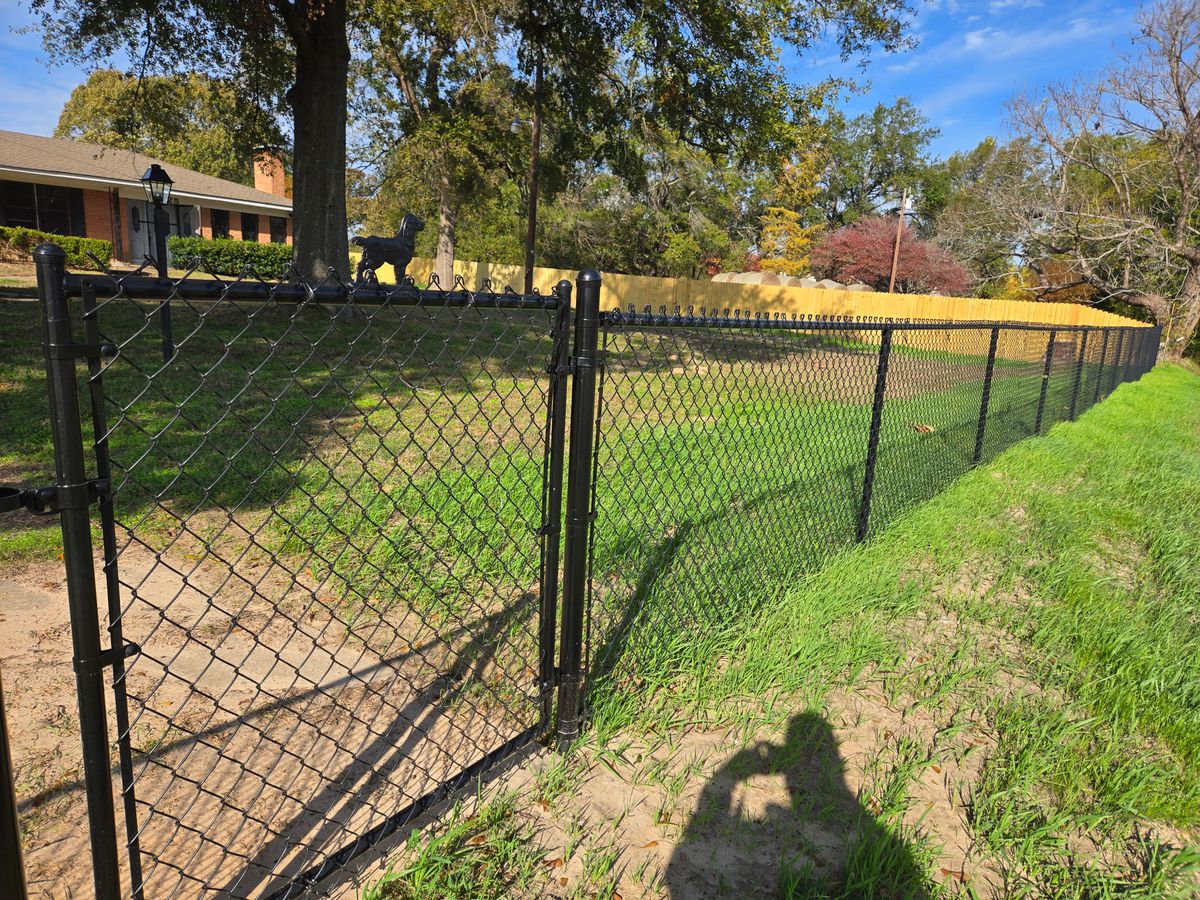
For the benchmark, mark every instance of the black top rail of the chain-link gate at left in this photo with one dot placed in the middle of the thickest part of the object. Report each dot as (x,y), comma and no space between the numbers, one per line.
(208,289)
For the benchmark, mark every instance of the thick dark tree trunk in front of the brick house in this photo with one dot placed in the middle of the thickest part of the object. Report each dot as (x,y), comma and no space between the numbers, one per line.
(319,109)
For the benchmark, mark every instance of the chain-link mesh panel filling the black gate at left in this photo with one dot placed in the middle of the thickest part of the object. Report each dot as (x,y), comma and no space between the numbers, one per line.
(327,518)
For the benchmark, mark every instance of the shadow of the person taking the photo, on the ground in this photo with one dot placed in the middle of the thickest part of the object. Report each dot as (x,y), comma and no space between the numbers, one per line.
(813,839)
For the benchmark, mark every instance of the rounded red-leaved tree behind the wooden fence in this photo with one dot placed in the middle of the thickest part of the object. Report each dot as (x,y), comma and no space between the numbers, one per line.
(862,253)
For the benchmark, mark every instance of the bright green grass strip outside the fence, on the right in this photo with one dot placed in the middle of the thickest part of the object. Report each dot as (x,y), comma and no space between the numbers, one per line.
(1070,566)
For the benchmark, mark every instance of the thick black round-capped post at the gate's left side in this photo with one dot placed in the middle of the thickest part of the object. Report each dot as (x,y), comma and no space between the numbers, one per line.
(74,497)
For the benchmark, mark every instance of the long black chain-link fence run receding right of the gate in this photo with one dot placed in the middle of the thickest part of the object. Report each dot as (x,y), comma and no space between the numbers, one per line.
(735,453)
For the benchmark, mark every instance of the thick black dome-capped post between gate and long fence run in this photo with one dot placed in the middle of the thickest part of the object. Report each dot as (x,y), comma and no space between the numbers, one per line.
(585,363)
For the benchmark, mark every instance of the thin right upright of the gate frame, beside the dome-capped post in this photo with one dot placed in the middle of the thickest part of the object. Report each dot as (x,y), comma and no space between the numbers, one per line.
(553,520)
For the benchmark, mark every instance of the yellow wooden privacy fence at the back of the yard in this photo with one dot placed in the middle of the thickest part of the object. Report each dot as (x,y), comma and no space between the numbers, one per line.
(641,291)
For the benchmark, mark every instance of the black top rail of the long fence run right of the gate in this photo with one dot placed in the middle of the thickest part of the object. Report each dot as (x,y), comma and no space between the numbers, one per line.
(741,320)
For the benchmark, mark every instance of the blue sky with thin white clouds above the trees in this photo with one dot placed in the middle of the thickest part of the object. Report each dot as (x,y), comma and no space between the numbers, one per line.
(971,58)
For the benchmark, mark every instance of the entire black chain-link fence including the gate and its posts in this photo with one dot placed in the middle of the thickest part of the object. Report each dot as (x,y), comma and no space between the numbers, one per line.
(329,521)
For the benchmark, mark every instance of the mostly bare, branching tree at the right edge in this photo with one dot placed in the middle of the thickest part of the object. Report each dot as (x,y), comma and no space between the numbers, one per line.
(1119,175)
